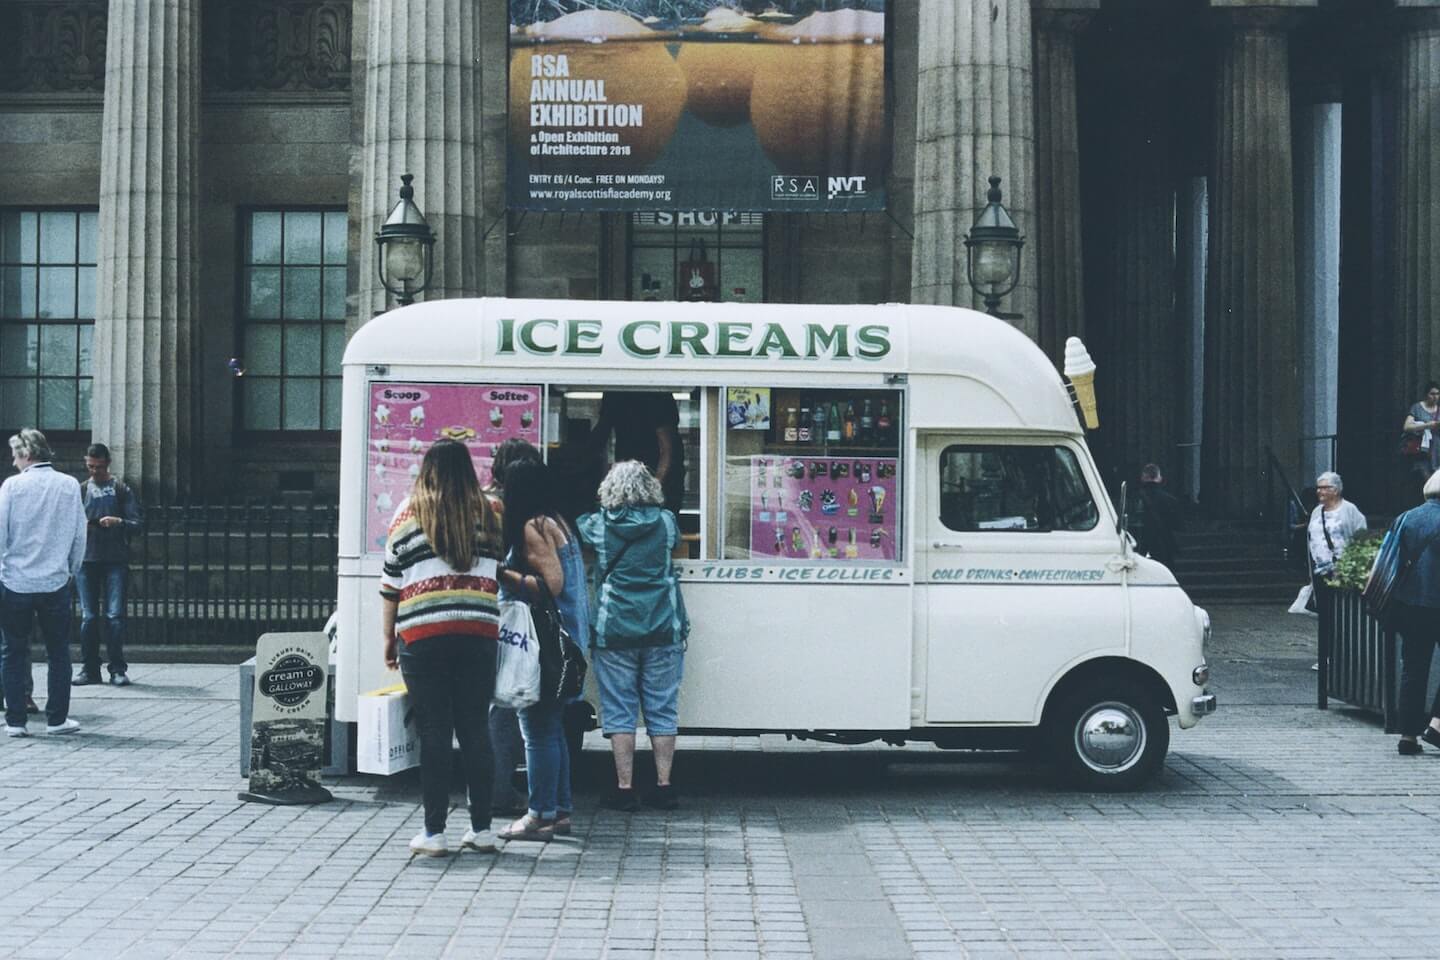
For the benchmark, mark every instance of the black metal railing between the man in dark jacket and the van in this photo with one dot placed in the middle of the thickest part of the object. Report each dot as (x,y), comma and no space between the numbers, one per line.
(224,574)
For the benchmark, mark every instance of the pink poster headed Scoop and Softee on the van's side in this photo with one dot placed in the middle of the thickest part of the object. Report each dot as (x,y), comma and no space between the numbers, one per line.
(408,418)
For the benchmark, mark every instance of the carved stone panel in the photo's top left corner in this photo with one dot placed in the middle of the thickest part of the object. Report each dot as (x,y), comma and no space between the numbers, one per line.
(61,47)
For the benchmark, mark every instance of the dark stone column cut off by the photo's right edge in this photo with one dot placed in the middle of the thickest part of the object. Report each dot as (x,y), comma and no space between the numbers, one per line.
(1418,202)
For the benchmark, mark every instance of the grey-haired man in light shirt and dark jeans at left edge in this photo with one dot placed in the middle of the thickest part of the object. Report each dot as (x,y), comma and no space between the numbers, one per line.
(42,546)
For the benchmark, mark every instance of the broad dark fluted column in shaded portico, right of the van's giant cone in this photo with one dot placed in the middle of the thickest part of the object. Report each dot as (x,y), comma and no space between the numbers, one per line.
(1252,345)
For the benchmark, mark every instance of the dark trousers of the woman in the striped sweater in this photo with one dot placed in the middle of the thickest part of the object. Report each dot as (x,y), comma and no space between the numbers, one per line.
(450,681)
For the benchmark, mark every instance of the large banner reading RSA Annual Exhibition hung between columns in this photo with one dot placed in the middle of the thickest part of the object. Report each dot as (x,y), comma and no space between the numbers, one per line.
(698,106)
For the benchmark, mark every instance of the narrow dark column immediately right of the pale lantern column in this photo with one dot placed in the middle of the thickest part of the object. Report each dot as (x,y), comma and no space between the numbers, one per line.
(1056,245)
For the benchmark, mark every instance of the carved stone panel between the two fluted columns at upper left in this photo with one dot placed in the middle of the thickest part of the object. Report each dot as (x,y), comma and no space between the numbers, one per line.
(277,45)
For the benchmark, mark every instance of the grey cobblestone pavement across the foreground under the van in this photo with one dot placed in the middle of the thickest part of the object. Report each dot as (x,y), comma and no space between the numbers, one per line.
(1275,831)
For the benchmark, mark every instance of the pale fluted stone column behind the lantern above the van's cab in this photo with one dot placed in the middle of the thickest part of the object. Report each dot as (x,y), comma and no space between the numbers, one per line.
(976,120)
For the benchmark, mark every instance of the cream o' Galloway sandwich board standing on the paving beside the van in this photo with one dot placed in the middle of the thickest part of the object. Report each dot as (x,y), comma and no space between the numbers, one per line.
(289,725)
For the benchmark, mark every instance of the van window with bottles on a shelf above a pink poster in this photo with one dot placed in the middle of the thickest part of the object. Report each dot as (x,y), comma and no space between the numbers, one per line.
(811,476)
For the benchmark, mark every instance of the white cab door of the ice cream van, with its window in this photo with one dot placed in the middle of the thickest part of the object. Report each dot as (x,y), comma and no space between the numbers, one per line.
(1020,568)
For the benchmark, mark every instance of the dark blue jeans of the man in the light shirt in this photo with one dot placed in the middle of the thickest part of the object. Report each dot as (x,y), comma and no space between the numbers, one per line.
(19,612)
